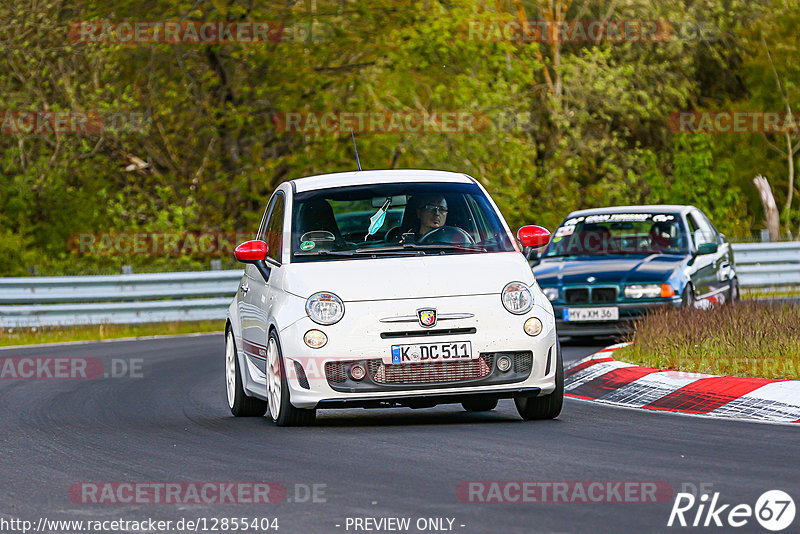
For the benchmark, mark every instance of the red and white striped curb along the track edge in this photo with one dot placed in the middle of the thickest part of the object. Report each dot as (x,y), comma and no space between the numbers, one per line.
(601,378)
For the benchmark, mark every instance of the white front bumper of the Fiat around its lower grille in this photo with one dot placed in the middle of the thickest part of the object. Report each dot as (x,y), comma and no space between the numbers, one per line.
(361,336)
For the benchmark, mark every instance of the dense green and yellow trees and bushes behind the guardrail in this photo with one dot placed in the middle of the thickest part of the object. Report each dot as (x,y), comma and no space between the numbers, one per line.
(573,125)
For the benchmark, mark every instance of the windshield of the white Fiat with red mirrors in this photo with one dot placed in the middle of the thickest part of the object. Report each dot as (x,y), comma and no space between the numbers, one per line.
(395,219)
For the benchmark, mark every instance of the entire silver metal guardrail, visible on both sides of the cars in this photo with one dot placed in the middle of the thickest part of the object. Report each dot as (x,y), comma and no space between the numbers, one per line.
(193,296)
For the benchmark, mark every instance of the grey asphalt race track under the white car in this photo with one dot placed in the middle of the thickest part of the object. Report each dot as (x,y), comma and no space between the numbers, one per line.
(169,422)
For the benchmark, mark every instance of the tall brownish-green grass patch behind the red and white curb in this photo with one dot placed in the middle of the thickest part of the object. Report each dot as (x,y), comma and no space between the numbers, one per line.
(756,339)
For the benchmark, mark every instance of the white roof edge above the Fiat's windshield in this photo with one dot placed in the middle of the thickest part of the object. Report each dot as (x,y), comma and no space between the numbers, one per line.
(325,181)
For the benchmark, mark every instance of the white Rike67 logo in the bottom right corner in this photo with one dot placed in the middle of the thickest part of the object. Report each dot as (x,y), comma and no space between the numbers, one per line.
(774,510)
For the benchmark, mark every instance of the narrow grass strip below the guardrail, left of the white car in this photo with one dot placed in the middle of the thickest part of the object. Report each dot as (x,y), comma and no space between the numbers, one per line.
(32,336)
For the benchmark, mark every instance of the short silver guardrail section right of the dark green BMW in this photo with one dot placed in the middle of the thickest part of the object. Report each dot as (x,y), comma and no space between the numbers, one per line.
(767,264)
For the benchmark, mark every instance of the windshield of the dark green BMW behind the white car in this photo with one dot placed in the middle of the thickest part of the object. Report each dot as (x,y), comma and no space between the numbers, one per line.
(619,233)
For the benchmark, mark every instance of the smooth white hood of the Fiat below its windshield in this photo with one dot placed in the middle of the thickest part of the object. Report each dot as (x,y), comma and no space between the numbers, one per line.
(414,277)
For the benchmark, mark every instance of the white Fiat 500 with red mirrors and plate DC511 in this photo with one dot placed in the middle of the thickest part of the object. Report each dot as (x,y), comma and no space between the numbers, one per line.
(389,288)
